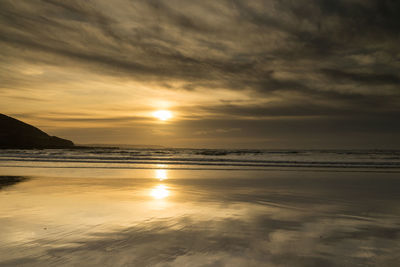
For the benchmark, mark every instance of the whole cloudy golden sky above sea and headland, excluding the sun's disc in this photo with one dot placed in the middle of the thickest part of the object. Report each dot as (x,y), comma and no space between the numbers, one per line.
(235,74)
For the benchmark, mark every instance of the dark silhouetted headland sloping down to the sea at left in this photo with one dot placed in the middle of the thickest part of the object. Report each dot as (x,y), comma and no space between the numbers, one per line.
(17,134)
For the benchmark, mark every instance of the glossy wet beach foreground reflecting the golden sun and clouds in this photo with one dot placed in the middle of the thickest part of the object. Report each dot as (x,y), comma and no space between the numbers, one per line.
(177,217)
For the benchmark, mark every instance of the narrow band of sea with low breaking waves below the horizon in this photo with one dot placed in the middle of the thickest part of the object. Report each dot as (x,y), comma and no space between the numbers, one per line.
(210,157)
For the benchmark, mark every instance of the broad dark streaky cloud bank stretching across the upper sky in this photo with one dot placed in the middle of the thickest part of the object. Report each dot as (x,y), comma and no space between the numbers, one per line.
(323,57)
